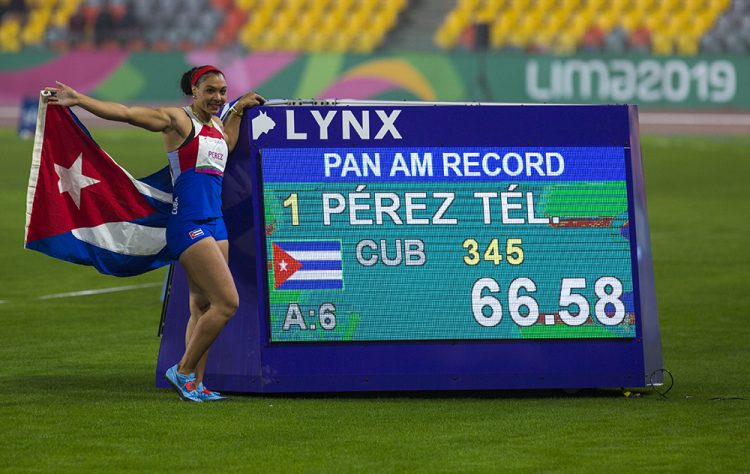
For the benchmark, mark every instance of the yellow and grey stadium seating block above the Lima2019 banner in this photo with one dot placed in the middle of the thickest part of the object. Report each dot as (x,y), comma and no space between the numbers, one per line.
(565,26)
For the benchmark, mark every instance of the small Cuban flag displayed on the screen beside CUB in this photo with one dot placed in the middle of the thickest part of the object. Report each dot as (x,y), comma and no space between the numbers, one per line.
(307,265)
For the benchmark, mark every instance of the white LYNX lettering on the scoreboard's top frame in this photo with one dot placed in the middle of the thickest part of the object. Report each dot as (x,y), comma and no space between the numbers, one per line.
(349,121)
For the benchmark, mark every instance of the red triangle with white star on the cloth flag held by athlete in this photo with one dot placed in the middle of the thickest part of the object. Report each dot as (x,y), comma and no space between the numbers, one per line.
(66,146)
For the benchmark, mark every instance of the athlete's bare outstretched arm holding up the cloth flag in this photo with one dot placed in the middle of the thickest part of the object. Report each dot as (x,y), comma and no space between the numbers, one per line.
(155,120)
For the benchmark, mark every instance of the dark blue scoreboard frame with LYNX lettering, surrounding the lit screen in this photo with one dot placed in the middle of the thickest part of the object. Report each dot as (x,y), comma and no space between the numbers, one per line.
(249,356)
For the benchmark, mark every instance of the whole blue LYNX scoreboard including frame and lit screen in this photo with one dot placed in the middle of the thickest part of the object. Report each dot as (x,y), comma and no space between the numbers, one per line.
(397,246)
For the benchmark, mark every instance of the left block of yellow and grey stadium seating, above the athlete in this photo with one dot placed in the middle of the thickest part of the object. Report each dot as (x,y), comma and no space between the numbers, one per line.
(261,25)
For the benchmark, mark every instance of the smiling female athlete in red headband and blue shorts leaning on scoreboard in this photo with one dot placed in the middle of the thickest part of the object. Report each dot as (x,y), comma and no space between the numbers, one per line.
(197,145)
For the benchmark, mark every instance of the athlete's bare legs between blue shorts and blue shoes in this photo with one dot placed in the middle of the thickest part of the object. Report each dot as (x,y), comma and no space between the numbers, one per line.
(208,272)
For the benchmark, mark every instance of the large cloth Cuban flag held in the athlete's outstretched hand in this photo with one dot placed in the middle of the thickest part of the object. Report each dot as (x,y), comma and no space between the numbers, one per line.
(84,208)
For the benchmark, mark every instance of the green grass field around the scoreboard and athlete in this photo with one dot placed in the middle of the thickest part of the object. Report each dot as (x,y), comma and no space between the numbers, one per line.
(77,373)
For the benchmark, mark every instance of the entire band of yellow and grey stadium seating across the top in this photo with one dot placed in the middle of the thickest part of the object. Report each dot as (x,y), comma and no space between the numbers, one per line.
(545,26)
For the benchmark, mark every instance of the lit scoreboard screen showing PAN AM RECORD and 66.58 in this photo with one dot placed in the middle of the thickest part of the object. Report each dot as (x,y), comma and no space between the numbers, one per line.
(416,243)
